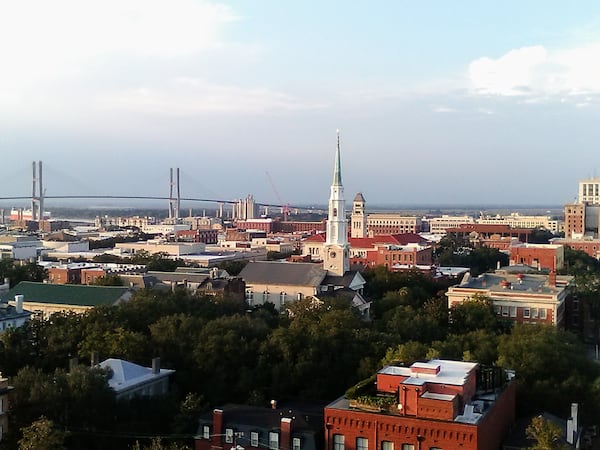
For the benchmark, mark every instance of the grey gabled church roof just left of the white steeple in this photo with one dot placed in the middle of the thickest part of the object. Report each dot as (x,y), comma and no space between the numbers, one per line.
(292,274)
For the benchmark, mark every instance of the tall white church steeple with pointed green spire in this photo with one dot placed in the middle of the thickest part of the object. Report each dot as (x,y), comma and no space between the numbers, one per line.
(336,256)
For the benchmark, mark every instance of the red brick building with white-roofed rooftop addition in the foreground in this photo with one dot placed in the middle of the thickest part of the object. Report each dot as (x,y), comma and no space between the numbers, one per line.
(439,405)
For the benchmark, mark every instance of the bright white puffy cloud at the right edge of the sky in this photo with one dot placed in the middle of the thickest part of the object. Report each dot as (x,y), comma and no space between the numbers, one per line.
(537,72)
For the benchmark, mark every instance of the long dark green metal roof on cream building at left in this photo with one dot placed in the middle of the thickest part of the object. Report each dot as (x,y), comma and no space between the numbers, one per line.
(68,294)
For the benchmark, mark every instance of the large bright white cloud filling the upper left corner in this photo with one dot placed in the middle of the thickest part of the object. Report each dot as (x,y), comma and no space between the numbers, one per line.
(41,40)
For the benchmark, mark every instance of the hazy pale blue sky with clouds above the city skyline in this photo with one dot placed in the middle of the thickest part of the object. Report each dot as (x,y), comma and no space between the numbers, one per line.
(438,102)
